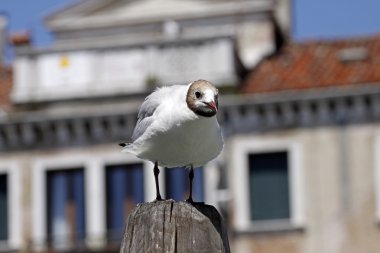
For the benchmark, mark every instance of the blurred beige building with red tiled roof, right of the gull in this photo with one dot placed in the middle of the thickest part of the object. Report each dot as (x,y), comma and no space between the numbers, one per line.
(303,150)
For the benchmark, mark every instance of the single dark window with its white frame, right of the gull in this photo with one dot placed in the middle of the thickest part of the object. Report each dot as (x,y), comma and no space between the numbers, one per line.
(267,184)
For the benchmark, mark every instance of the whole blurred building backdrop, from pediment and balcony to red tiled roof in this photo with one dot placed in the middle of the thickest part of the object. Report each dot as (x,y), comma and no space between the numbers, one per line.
(300,167)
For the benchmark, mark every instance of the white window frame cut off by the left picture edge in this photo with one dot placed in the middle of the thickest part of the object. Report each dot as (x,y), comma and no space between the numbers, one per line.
(11,169)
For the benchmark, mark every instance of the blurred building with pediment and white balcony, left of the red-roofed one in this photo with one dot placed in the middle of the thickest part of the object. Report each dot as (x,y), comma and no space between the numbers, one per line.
(65,186)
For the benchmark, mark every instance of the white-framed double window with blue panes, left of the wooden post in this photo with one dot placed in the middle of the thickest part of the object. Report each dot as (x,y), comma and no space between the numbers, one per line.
(82,190)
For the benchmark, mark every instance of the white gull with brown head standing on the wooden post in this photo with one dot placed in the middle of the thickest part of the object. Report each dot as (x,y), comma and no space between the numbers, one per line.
(177,127)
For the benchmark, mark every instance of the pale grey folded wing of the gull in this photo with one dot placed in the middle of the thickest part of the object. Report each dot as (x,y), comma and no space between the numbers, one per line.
(144,117)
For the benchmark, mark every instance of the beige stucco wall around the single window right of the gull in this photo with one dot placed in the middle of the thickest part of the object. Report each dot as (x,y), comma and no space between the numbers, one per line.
(338,181)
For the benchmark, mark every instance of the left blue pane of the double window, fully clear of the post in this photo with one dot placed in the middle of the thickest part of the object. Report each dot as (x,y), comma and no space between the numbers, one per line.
(65,208)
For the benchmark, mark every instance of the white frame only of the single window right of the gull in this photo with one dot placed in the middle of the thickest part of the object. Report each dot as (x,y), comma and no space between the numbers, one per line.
(239,180)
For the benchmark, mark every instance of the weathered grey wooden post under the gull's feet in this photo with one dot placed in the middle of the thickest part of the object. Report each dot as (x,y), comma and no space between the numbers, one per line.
(170,226)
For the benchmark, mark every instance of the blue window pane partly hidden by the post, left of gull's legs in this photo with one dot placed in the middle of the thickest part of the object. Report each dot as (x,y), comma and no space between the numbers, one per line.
(124,190)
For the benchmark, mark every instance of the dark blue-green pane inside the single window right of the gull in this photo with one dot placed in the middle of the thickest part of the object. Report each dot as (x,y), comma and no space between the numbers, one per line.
(269,186)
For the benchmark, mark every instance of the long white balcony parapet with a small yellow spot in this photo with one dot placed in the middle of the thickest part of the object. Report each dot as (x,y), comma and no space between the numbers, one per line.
(92,73)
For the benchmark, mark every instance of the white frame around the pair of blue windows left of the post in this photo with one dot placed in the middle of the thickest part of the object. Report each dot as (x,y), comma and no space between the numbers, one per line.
(94,168)
